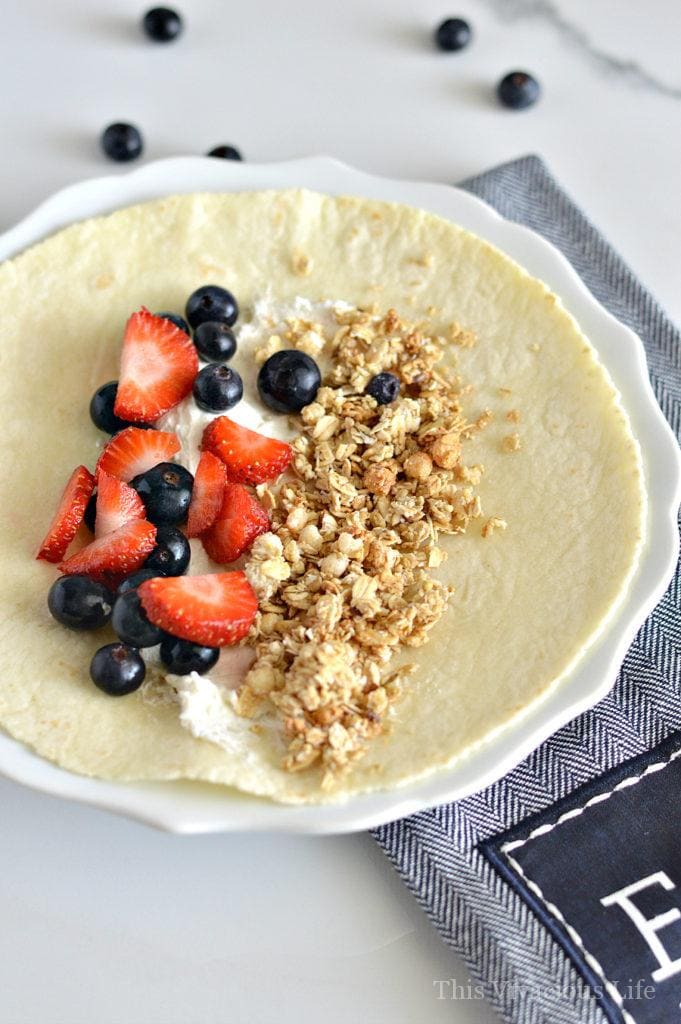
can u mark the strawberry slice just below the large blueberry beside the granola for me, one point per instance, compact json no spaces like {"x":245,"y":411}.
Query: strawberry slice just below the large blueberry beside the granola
{"x":248,"y":456}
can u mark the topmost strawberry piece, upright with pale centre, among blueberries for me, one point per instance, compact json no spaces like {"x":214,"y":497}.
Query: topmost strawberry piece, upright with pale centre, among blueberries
{"x":159,"y":364}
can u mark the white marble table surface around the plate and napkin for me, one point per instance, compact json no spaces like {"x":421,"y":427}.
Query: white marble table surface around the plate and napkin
{"x":109,"y":922}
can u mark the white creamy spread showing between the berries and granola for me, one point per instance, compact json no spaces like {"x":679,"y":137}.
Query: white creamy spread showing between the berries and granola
{"x":206,"y":703}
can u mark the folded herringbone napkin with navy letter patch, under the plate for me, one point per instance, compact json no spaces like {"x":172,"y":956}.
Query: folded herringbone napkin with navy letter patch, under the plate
{"x":562,"y":884}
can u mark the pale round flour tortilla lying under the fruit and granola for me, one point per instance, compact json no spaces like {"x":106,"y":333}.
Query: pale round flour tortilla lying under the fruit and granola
{"x":528,"y":603}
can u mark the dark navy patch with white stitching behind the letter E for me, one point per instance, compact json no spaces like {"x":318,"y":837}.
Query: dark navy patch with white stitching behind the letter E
{"x":611,"y":844}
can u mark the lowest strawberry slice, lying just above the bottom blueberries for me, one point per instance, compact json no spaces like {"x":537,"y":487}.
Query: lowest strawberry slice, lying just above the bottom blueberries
{"x":215,"y":611}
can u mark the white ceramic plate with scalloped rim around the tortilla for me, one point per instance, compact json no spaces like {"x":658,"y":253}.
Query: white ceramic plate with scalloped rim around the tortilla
{"x":190,"y":807}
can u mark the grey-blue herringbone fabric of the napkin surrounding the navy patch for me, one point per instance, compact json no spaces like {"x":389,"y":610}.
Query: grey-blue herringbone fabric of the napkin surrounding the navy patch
{"x":527,"y":975}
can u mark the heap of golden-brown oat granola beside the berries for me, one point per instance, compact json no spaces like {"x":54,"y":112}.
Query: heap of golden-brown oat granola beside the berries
{"x":344,"y":578}
